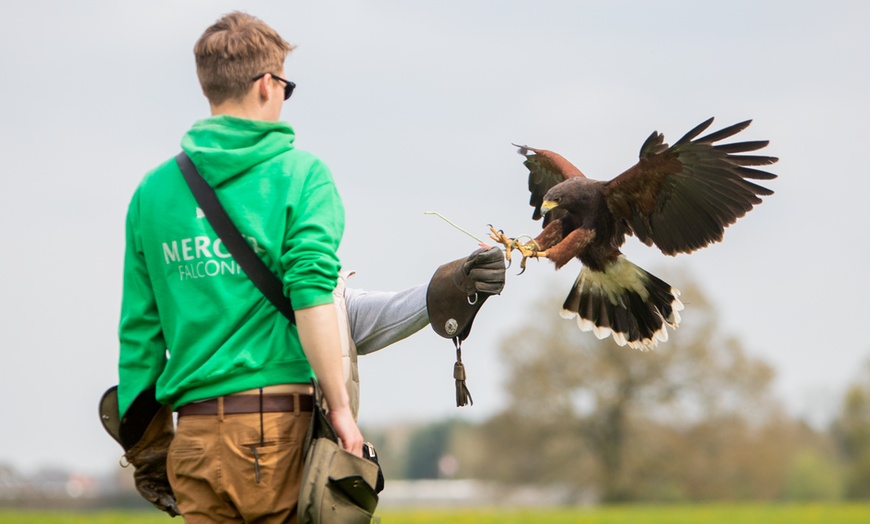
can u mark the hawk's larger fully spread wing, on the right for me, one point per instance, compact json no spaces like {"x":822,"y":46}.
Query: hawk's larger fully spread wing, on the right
{"x":681,"y":198}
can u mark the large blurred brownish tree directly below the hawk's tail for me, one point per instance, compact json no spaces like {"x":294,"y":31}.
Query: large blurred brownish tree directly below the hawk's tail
{"x":694,"y":419}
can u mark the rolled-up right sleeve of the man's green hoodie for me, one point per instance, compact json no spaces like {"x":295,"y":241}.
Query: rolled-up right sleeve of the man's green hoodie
{"x":315,"y":227}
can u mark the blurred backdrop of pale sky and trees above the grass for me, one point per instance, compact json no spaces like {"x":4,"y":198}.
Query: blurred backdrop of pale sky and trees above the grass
{"x":763,"y":392}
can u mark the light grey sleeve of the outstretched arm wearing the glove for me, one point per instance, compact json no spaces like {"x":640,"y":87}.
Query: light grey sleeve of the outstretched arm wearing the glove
{"x":379,"y":318}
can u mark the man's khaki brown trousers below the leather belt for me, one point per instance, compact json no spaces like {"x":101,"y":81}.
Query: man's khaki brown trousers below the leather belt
{"x":222,"y":471}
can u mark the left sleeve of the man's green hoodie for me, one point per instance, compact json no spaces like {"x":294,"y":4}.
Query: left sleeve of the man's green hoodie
{"x":143,"y":348}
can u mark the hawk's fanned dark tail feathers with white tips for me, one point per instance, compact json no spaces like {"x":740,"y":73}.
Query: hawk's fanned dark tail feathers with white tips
{"x":624,"y":301}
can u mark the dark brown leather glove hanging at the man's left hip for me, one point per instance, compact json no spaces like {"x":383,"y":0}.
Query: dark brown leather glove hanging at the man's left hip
{"x":145,"y":433}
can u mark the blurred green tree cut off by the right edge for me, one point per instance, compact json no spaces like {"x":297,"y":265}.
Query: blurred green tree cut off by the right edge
{"x":852,"y":432}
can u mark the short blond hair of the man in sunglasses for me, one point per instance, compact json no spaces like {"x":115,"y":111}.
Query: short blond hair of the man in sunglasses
{"x":234,"y":50}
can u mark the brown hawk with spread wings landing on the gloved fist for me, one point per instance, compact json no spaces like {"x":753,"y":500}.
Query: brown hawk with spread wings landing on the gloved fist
{"x":679,"y":198}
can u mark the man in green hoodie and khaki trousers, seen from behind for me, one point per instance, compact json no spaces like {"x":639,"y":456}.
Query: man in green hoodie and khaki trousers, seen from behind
{"x":192,"y":323}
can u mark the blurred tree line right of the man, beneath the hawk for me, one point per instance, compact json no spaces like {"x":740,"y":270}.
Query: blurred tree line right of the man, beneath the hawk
{"x":694,"y":420}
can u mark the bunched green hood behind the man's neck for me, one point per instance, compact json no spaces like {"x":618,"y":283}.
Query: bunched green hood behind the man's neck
{"x":224,"y":146}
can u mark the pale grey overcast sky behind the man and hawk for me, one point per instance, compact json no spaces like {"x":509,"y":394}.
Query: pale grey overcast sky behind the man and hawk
{"x":414,"y":106}
